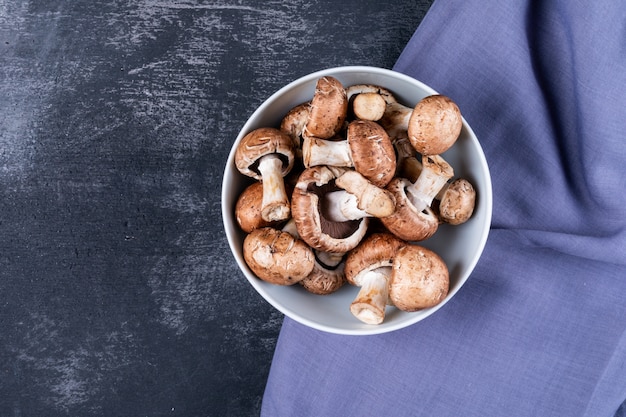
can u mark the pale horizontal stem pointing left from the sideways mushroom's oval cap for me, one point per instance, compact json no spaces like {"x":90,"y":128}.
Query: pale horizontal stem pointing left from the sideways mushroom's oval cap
{"x":317,"y":151}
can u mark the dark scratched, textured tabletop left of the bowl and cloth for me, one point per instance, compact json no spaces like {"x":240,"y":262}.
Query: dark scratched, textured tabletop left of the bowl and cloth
{"x":118,"y":294}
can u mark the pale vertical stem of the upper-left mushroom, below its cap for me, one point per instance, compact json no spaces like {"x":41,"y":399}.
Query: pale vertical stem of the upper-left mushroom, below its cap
{"x":275,"y":204}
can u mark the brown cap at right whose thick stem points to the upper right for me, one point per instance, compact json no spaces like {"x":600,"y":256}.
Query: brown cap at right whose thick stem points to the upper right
{"x":406,"y":222}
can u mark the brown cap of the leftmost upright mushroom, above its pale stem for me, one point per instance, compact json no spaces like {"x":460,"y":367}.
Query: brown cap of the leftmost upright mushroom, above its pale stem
{"x":261,"y":142}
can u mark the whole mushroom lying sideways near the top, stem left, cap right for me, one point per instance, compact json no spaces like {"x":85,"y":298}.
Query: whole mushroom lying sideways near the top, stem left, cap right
{"x":367,"y":148}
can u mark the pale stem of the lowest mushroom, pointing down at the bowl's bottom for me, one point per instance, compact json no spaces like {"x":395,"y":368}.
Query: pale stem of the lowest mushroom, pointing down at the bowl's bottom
{"x":369,"y":305}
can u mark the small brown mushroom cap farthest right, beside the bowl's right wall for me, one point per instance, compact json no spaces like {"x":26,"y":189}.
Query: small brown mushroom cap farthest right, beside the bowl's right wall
{"x":457,"y":202}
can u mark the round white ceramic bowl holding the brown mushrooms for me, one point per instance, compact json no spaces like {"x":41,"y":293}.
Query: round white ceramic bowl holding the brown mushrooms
{"x":459,"y":246}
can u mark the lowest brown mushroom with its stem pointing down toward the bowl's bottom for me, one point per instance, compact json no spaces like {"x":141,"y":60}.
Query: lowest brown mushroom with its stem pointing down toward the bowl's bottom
{"x":369,"y":267}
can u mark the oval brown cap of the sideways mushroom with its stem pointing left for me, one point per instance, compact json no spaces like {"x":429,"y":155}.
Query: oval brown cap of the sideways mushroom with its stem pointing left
{"x":372,"y":151}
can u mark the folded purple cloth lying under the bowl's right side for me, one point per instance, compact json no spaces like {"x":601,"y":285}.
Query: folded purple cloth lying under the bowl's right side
{"x":539,"y":329}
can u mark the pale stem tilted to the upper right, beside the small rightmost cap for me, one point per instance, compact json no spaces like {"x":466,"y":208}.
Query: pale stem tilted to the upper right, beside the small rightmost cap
{"x":435,"y":174}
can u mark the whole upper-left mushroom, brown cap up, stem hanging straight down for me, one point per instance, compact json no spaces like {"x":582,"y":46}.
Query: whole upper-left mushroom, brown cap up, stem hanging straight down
{"x":266,"y":154}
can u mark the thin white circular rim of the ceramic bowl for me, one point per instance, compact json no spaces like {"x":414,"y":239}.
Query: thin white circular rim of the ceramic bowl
{"x":486,"y":199}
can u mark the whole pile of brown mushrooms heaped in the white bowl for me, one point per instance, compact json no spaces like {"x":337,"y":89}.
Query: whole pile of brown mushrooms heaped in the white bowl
{"x":344,"y":190}
